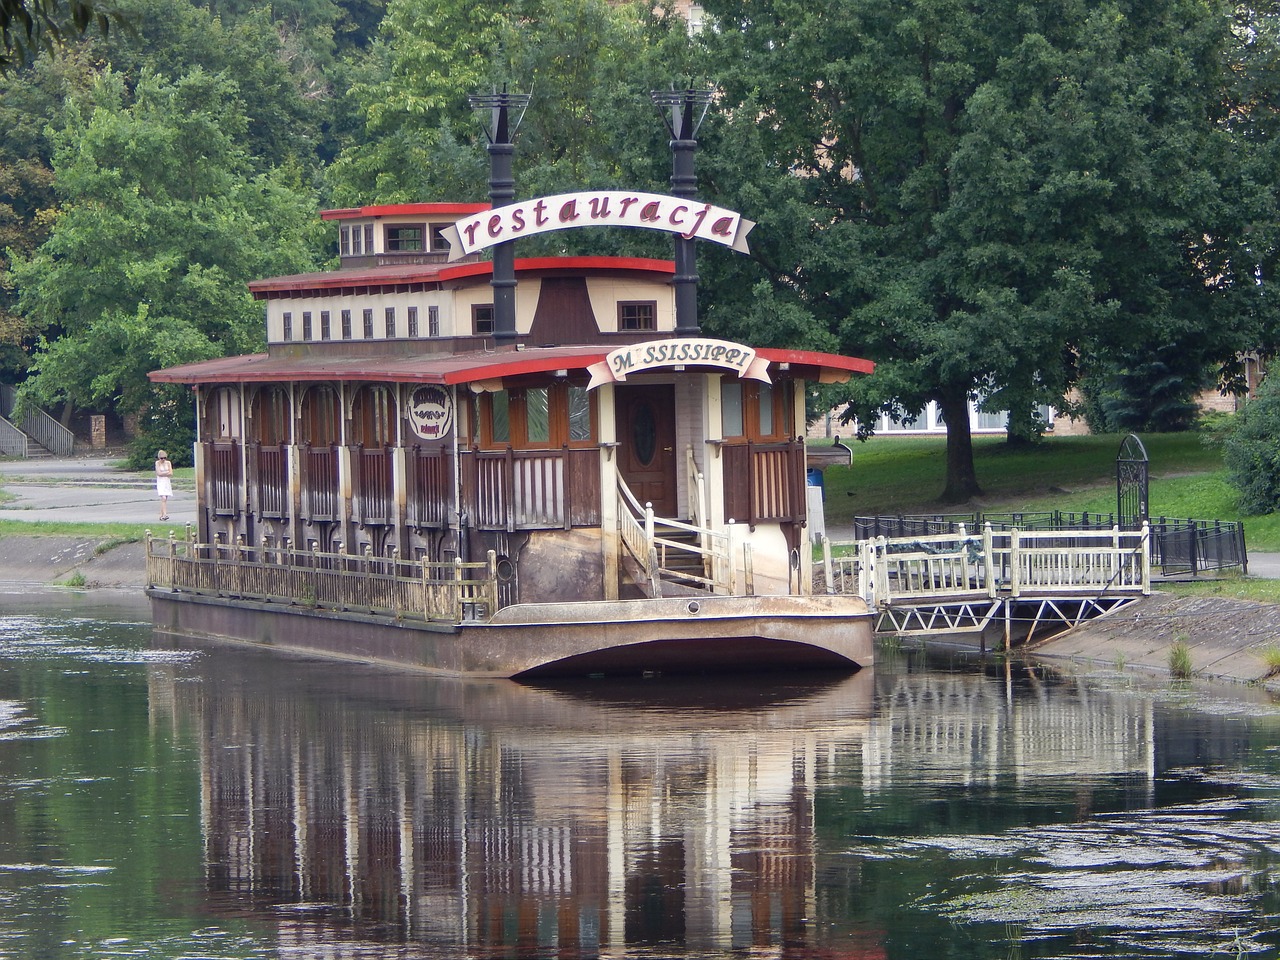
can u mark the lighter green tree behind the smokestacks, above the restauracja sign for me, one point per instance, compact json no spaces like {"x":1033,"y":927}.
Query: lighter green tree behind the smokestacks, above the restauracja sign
{"x":588,"y":66}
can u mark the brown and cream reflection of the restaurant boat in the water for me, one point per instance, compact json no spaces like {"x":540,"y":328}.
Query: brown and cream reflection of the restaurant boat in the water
{"x":477,"y":819}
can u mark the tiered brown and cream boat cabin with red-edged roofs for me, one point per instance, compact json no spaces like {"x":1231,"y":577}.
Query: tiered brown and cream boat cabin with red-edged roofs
{"x":387,"y":418}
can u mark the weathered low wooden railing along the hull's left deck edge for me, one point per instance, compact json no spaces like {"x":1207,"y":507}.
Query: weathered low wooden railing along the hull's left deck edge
{"x":450,"y":592}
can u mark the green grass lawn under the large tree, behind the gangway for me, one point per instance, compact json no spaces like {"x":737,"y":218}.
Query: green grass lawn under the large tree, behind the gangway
{"x":894,"y":476}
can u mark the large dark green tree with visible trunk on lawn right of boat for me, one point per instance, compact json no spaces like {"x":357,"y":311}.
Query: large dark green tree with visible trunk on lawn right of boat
{"x":991,"y":195}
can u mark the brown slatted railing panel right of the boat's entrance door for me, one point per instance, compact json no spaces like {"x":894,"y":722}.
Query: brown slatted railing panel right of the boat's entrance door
{"x":775,"y":488}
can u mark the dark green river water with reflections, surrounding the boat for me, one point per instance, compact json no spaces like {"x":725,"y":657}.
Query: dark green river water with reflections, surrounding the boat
{"x":161,"y":801}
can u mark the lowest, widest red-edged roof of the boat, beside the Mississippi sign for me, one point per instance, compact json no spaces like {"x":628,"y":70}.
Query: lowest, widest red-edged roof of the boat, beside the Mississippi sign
{"x":451,"y":368}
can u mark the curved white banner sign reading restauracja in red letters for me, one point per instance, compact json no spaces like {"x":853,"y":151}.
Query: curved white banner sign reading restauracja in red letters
{"x":653,"y":212}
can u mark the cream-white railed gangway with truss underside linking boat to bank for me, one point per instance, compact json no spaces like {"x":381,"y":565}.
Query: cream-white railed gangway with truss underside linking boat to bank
{"x":962,"y":583}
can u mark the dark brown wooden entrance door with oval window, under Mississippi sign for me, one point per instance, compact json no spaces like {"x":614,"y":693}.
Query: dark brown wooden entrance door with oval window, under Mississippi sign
{"x":647,"y":445}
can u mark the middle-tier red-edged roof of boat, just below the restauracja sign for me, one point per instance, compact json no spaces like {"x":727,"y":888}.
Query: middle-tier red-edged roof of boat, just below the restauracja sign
{"x":446,"y":273}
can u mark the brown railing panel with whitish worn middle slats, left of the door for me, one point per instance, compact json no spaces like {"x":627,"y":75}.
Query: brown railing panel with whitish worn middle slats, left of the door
{"x":534,"y":490}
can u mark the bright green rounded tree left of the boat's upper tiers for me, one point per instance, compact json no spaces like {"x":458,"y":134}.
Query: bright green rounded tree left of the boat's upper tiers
{"x":161,"y":226}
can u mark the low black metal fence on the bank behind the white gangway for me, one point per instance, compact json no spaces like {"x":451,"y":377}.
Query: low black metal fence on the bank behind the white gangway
{"x":1178,"y":547}
